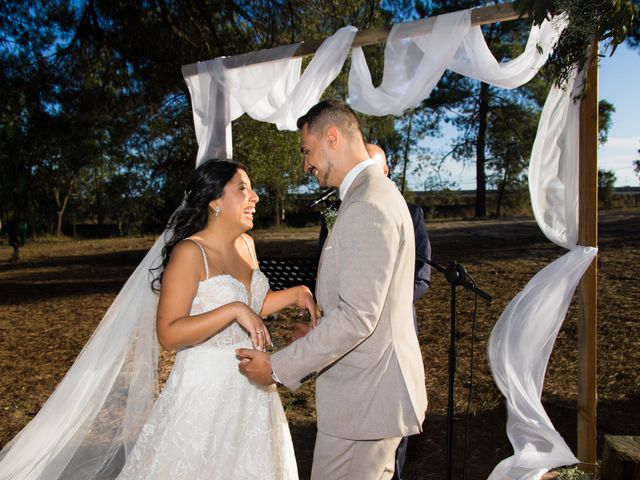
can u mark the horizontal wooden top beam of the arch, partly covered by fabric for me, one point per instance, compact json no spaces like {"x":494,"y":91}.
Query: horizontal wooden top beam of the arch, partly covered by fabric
{"x":372,"y":36}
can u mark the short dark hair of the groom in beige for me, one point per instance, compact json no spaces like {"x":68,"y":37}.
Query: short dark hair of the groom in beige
{"x":331,"y":112}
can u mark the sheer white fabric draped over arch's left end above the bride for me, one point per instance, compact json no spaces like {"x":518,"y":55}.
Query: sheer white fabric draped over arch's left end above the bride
{"x":271,"y":91}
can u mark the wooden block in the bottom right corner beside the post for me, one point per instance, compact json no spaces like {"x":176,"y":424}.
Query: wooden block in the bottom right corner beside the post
{"x":621,"y":458}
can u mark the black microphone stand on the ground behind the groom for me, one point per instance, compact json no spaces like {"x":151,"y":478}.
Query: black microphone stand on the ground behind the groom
{"x":456,"y":275}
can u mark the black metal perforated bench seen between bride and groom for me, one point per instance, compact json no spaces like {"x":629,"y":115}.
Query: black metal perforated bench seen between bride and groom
{"x":289,"y":272}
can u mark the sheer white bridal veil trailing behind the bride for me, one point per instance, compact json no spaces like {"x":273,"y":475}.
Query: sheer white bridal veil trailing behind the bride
{"x":91,"y":421}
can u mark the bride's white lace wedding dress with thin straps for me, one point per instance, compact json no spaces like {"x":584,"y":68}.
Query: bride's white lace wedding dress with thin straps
{"x":210,"y":422}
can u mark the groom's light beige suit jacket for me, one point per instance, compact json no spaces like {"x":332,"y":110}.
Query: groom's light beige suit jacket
{"x":370,"y":377}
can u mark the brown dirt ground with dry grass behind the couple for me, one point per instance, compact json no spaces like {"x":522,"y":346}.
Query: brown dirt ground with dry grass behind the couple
{"x":53,"y":299}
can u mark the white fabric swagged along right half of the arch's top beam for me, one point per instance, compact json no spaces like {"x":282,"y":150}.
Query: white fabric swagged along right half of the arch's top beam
{"x":418,"y":53}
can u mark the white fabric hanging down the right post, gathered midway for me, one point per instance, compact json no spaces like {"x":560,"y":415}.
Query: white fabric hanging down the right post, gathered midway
{"x":521,"y":341}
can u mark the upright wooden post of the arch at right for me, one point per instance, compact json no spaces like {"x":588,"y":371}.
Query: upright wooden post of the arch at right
{"x":588,"y":236}
